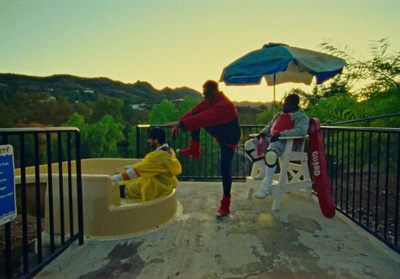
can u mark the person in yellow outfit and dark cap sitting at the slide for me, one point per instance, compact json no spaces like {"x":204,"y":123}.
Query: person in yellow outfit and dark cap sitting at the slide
{"x":156,"y":175}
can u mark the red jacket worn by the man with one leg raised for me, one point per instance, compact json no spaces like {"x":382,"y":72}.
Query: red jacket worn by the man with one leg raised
{"x":220,"y":111}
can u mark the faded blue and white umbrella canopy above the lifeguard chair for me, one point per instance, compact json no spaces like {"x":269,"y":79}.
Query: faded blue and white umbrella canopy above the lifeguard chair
{"x":280,"y":63}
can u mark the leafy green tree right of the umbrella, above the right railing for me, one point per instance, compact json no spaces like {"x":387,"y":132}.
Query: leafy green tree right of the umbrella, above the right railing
{"x":379,"y":94}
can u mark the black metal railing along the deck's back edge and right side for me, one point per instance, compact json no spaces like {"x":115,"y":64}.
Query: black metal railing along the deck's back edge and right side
{"x":363,"y":166}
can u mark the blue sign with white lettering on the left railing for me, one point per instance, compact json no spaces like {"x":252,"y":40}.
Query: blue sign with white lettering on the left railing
{"x":8,"y":210}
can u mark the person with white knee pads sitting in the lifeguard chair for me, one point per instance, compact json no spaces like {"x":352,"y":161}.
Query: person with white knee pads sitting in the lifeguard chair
{"x":265,"y":149}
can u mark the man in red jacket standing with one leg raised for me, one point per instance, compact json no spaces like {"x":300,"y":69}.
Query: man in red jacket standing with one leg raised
{"x":218,"y":116}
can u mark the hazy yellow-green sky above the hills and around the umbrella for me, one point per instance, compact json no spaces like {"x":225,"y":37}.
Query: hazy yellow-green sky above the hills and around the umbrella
{"x":175,"y":43}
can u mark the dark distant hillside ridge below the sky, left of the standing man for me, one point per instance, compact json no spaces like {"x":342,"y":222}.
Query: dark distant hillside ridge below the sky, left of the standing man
{"x":84,"y":88}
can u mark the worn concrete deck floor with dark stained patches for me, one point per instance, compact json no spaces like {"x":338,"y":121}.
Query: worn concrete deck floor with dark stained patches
{"x":252,"y":242}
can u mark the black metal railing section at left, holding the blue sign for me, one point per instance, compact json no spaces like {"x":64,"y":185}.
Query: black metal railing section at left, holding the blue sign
{"x":39,"y":154}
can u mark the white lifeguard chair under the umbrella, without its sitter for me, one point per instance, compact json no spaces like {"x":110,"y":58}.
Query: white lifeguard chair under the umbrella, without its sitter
{"x":294,"y":173}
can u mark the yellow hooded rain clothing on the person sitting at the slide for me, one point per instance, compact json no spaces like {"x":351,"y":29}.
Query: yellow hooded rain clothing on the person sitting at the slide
{"x":156,"y":176}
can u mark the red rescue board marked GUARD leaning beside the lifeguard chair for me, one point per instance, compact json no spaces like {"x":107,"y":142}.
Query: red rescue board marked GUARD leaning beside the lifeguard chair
{"x":320,"y":173}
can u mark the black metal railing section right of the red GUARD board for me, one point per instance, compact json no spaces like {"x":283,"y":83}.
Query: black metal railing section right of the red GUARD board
{"x":364,"y":170}
